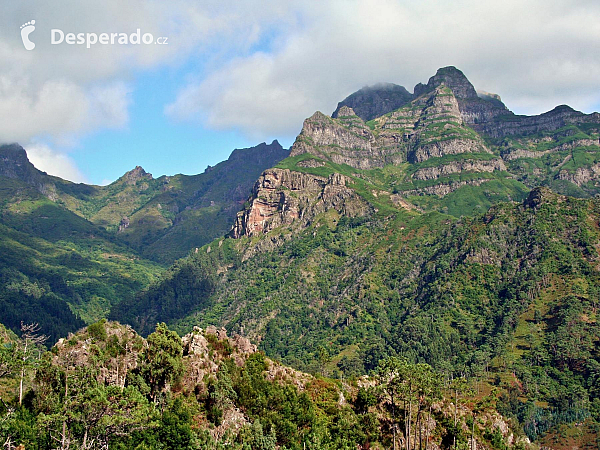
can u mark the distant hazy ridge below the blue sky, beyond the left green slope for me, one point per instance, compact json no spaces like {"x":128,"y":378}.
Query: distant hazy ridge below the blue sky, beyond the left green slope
{"x":164,"y":218}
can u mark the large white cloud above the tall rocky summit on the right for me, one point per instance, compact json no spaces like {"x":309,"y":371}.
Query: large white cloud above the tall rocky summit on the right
{"x":536,"y":54}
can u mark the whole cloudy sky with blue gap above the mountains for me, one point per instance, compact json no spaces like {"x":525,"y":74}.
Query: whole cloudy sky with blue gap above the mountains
{"x":235,"y":73}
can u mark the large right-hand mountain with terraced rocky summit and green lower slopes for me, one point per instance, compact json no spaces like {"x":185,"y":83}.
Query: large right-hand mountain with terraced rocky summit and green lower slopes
{"x":422,"y":232}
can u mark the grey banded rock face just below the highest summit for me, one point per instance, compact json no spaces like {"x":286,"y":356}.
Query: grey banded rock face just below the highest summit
{"x":432,"y":126}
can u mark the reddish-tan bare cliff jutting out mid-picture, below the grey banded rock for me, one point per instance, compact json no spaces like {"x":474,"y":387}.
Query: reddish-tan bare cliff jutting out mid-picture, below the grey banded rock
{"x":281,"y":197}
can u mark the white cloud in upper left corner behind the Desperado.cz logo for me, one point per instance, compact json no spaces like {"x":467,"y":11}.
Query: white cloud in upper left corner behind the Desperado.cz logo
{"x":64,"y":91}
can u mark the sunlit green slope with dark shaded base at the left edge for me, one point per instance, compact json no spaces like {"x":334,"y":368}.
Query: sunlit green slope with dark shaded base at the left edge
{"x":56,"y":267}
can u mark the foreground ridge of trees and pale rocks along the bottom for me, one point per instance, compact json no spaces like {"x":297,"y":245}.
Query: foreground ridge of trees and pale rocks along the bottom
{"x":107,"y":387}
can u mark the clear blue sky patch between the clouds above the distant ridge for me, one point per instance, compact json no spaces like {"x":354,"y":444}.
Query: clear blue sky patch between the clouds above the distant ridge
{"x":157,"y":143}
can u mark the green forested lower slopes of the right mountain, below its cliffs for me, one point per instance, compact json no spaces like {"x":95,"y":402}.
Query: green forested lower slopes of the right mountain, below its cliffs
{"x":456,"y":295}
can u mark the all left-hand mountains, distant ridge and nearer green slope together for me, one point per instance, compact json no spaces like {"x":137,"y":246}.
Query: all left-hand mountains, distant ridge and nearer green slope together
{"x":72,"y":251}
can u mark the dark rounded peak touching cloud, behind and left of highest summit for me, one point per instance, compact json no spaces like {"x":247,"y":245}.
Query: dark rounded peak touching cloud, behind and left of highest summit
{"x":375,"y":101}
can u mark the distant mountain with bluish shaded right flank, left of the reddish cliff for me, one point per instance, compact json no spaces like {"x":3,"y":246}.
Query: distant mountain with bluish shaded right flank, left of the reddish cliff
{"x":165,"y":218}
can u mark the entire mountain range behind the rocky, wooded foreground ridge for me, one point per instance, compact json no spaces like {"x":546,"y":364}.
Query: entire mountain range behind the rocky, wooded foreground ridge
{"x":435,"y":225}
